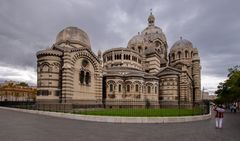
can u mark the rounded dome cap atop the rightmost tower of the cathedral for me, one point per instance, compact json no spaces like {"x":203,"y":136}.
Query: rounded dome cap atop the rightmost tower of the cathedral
{"x":182,"y":44}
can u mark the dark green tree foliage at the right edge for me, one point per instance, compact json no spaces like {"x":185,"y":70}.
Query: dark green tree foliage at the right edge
{"x":229,"y":91}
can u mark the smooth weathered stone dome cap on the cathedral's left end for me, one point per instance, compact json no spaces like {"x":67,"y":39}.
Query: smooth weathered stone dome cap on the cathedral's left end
{"x":73,"y":35}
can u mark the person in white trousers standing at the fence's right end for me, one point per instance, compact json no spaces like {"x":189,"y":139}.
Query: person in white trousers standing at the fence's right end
{"x":219,"y":115}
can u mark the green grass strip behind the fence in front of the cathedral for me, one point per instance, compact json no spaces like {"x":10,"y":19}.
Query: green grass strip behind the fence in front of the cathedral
{"x":142,"y":112}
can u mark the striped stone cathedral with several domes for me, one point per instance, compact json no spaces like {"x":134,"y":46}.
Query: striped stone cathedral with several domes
{"x":70,"y":72}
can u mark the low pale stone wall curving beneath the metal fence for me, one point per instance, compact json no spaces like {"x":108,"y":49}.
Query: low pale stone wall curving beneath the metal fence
{"x":116,"y":119}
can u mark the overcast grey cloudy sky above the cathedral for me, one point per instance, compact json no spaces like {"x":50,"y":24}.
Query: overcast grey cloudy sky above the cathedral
{"x":27,"y":26}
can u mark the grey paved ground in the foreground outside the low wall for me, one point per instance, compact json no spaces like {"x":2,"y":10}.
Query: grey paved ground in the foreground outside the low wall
{"x":18,"y":126}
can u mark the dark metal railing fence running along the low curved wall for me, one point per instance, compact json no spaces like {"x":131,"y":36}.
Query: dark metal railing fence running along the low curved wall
{"x":120,"y":107}
